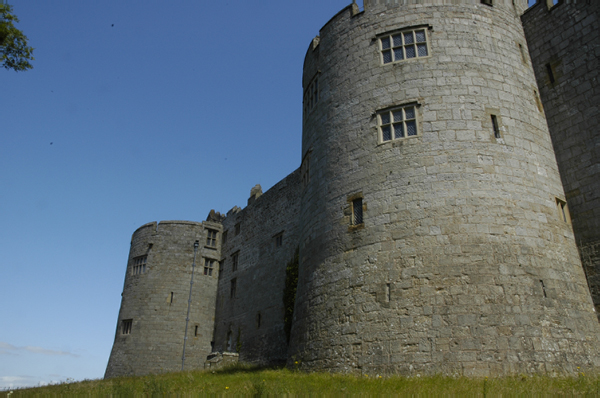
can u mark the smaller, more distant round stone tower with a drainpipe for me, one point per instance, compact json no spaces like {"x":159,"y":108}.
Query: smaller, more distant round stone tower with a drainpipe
{"x":152,"y":318}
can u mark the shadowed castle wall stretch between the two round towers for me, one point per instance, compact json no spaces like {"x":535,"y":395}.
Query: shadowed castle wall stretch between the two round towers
{"x":250,"y":319}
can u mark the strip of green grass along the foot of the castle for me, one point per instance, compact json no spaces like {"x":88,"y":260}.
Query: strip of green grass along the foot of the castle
{"x":248,"y":381}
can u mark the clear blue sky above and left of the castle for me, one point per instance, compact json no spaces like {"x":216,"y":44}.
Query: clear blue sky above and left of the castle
{"x":135,"y":111}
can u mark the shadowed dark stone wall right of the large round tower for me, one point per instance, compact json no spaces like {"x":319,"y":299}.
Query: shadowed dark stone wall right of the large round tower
{"x":567,"y":69}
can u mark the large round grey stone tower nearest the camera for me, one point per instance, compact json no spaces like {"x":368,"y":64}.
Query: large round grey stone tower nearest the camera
{"x":431,"y":237}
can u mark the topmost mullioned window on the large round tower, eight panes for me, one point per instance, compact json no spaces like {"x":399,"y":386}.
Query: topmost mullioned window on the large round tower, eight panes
{"x":403,"y":45}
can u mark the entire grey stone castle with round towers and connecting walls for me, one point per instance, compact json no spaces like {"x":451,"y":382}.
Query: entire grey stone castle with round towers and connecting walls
{"x":445,"y":215}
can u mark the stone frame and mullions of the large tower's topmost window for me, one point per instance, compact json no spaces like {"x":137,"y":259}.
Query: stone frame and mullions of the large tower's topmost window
{"x":394,"y":46}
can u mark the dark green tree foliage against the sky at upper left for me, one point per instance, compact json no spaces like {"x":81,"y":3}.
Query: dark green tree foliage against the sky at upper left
{"x":14,"y":51}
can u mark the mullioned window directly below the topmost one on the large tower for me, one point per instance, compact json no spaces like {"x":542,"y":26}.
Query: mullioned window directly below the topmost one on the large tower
{"x":397,"y":123}
